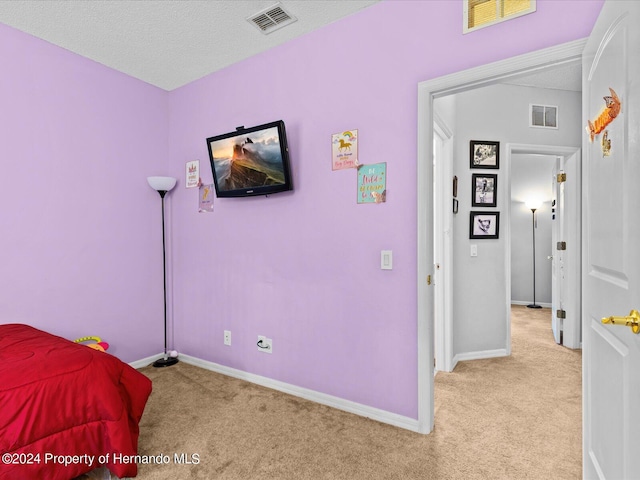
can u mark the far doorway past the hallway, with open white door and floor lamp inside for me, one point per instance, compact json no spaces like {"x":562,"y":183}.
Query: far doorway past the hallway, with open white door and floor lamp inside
{"x":561,"y":179}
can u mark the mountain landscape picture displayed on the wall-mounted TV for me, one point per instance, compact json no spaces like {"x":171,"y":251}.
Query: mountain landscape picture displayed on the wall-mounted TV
{"x":248,"y":160}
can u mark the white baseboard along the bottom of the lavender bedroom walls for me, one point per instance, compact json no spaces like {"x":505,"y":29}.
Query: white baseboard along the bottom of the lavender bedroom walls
{"x":322,"y":398}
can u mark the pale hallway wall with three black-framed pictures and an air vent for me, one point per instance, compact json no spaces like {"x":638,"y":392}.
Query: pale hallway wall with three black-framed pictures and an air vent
{"x":497,"y":113}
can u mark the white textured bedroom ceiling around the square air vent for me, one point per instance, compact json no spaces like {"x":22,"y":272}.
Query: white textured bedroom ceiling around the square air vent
{"x":167,"y":43}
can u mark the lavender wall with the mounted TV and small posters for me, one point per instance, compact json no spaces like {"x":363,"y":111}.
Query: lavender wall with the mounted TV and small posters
{"x":303,"y":268}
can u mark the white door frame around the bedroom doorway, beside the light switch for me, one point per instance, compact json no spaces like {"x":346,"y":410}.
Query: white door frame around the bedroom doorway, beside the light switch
{"x":564,"y":54}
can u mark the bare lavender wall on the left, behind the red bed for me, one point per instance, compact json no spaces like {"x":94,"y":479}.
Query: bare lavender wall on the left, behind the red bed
{"x":79,"y":226}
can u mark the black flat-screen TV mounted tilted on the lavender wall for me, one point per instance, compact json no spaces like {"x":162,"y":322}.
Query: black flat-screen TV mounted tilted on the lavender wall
{"x":251,"y":161}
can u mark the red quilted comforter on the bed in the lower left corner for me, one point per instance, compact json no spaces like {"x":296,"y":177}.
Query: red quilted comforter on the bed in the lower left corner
{"x":65,"y":408}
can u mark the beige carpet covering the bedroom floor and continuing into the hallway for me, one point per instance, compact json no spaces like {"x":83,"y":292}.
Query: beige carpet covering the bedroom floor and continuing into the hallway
{"x":508,"y":418}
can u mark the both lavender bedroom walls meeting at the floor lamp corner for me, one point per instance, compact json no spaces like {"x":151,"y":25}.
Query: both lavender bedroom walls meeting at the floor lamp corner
{"x":80,"y":229}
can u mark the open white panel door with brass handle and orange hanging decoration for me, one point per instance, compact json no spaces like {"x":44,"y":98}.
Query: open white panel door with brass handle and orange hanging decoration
{"x":611,"y":234}
